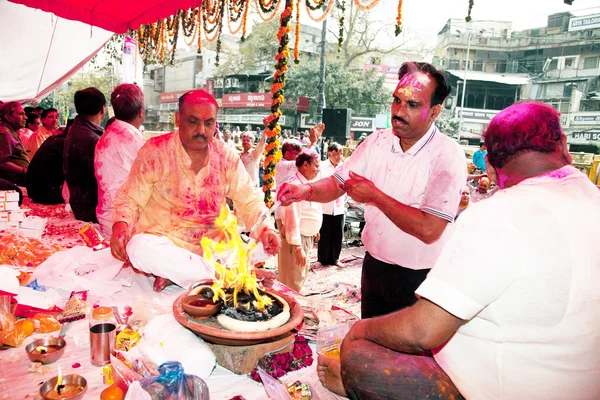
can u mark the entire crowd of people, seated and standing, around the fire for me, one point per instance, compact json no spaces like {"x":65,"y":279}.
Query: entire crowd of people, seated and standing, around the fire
{"x":441,"y":317}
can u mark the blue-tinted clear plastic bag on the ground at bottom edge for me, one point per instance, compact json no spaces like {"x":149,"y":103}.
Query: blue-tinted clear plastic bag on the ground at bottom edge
{"x":173,"y":384}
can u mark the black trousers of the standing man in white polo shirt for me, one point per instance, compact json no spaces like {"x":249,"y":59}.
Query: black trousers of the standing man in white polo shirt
{"x":386,"y":288}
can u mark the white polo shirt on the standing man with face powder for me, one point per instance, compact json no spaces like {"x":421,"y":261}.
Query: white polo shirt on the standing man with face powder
{"x":429,"y":176}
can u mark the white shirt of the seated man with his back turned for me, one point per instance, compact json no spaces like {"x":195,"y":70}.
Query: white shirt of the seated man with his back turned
{"x":533,"y":306}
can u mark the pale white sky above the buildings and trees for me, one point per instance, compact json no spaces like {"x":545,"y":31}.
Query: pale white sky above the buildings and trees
{"x":425,"y":18}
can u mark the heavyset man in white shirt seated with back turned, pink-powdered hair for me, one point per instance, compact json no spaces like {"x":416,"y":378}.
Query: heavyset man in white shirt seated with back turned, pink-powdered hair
{"x":521,"y":324}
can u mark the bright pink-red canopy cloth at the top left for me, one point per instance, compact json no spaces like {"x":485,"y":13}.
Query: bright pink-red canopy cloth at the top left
{"x":113,"y":15}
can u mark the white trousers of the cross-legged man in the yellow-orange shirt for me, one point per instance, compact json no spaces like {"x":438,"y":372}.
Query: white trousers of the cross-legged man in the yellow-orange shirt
{"x":158,"y":256}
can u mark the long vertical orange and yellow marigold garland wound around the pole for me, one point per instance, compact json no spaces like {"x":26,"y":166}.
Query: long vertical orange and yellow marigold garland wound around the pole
{"x":273,"y":130}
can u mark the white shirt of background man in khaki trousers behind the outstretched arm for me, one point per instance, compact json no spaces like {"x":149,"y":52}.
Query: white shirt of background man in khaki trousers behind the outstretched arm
{"x":303,"y":218}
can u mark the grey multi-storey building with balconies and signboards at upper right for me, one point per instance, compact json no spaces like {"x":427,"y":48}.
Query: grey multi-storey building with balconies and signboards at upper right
{"x":558,"y":64}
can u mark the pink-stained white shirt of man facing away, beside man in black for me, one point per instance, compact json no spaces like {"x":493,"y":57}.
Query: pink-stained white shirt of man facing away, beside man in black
{"x":114,"y":155}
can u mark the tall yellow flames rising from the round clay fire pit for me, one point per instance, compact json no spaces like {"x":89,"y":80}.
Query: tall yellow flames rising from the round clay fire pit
{"x":240,"y":276}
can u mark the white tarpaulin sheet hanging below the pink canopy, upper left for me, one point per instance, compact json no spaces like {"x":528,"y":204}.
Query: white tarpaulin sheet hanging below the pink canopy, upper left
{"x":39,"y":51}
